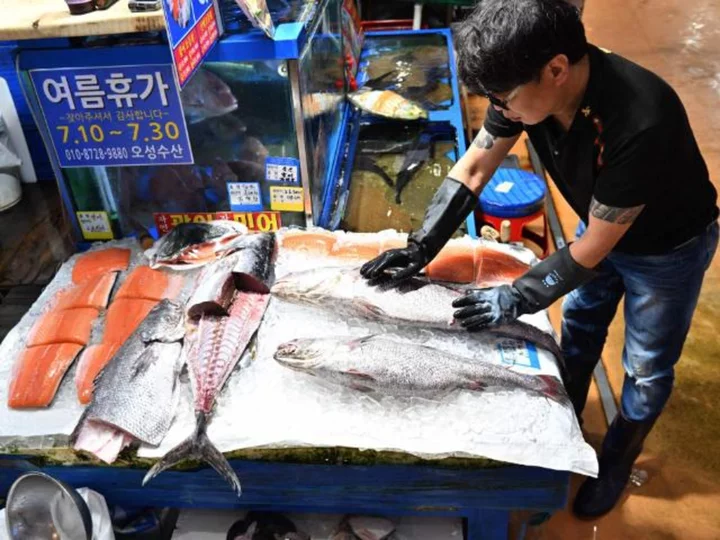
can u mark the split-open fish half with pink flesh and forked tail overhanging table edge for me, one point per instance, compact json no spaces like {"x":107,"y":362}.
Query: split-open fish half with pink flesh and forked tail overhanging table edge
{"x":212,"y":355}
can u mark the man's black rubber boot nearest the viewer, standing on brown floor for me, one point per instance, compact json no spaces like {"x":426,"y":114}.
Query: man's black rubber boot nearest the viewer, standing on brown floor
{"x":621,"y":447}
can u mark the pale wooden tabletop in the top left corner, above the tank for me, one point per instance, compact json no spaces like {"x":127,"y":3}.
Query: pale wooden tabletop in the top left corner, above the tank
{"x":38,"y":19}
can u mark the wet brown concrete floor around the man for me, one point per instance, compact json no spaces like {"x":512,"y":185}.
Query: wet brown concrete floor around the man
{"x":679,"y":40}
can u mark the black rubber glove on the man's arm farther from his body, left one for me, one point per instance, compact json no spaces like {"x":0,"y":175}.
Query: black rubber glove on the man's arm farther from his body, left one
{"x":451,"y":204}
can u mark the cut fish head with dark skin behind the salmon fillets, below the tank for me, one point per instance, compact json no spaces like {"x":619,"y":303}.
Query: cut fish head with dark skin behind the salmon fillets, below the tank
{"x":188,"y":243}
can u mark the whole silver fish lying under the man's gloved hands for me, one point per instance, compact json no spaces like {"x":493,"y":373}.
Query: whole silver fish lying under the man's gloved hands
{"x":416,"y":302}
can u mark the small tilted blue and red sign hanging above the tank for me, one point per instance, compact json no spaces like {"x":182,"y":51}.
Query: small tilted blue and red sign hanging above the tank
{"x":192,"y":28}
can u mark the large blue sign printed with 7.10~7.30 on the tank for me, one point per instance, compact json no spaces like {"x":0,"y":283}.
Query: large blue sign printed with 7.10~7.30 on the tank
{"x":114,"y":116}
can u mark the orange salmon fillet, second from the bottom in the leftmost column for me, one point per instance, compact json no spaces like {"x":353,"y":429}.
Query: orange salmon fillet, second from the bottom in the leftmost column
{"x":68,"y":326}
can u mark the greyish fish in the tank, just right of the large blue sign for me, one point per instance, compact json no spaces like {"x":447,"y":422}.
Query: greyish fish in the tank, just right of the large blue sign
{"x":206,"y":96}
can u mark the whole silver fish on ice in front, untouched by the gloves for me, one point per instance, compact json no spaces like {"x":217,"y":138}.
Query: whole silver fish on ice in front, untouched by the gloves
{"x":384,"y":366}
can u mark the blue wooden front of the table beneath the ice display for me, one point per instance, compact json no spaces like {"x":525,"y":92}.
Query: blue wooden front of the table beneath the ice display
{"x":331,"y":481}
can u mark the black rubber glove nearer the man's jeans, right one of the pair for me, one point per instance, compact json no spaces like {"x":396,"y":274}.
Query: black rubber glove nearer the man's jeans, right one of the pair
{"x":537,"y":289}
